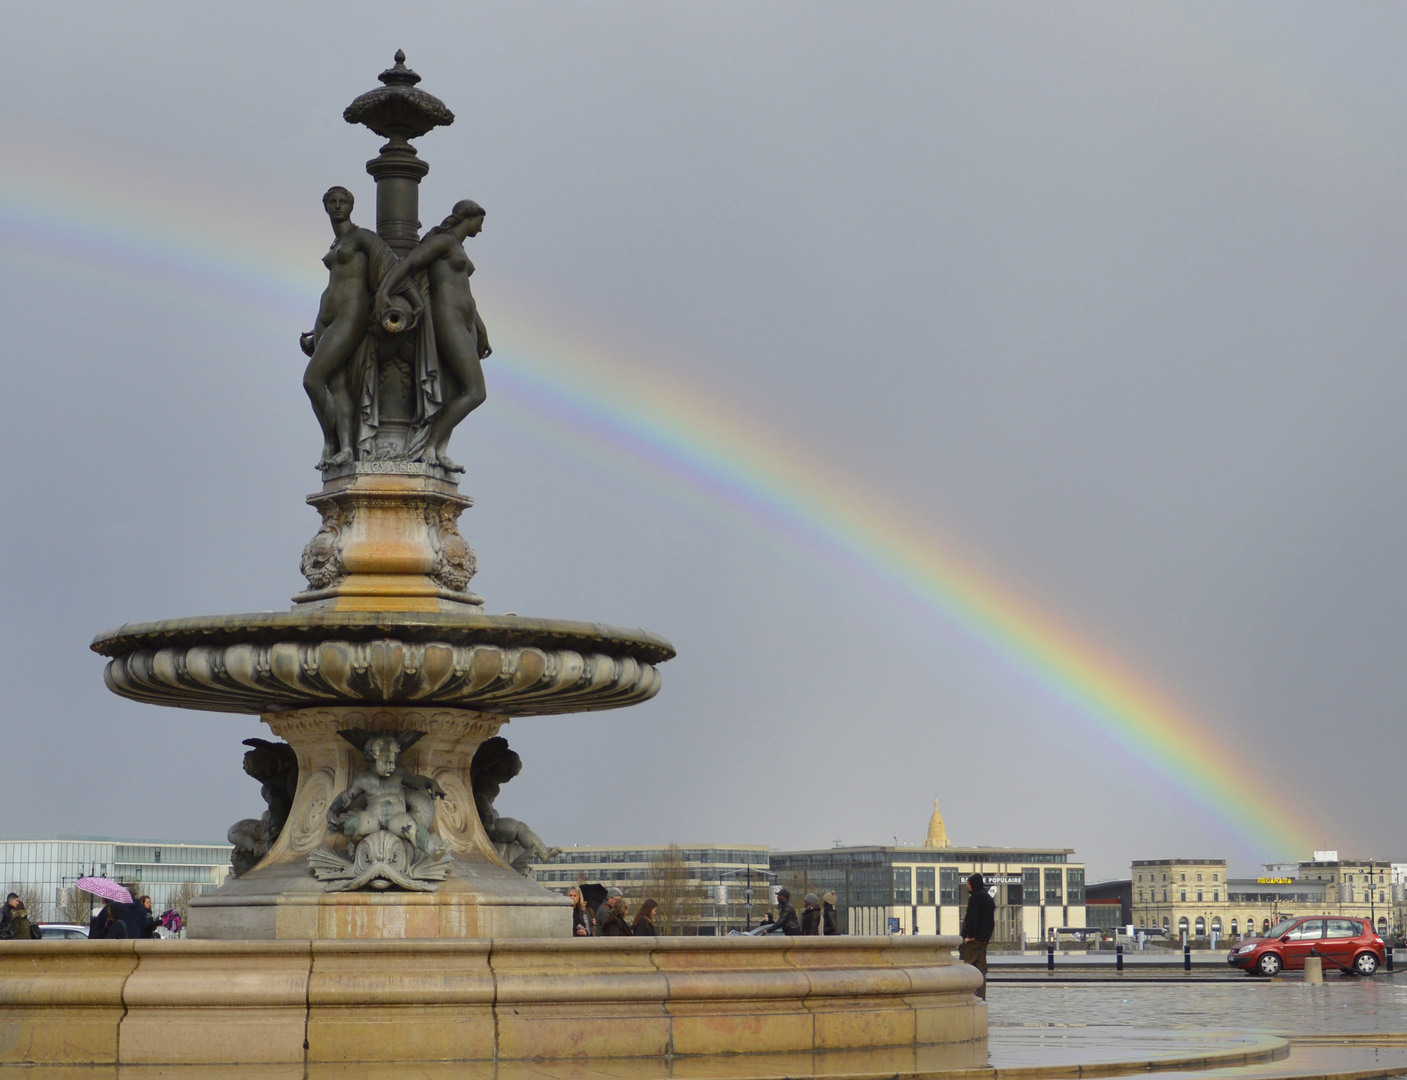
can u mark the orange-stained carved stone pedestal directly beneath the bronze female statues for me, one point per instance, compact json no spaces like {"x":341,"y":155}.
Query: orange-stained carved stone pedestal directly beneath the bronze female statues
{"x":389,"y":544}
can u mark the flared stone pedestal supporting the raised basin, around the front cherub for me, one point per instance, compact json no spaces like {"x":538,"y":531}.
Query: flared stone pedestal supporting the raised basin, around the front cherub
{"x":479,"y":898}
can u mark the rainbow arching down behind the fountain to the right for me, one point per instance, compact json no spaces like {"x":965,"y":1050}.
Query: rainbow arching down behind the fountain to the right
{"x":676,"y":438}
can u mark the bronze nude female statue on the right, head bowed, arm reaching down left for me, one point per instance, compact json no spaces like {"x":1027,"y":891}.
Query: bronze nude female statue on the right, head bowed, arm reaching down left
{"x":461,"y":337}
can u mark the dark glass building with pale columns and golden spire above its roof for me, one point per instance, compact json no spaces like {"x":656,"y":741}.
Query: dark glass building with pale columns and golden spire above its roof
{"x":924,"y":891}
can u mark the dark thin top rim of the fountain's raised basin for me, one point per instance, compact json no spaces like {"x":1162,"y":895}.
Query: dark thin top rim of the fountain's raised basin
{"x":271,"y":628}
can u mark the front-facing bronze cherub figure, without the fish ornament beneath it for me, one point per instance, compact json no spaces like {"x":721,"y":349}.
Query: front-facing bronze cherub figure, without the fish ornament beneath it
{"x":396,"y":799}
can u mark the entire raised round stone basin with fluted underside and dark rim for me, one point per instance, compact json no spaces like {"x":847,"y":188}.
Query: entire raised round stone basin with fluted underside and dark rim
{"x":275,"y":662}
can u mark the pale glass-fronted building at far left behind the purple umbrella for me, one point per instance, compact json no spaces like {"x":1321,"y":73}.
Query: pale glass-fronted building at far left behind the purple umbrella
{"x":47,"y":868}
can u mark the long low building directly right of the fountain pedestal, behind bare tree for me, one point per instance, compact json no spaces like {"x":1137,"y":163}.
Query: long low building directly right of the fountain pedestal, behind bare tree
{"x":706,"y":889}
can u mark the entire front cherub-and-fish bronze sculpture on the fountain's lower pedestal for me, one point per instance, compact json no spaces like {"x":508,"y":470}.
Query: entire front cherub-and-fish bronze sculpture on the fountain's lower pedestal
{"x":388,"y":815}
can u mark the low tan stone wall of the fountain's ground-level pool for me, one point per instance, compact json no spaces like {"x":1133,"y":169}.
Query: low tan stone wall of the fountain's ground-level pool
{"x":417,"y":1002}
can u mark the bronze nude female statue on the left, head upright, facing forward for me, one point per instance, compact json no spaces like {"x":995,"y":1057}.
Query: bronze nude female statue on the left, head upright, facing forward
{"x":358,"y":261}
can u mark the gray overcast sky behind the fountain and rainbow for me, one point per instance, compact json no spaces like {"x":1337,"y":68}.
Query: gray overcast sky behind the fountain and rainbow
{"x":1105,"y":297}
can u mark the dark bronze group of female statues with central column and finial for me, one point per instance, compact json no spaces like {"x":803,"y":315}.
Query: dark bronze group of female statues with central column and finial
{"x":395,"y":356}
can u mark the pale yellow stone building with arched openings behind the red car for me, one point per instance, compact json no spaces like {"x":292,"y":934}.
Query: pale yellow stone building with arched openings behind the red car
{"x":1197,"y":898}
